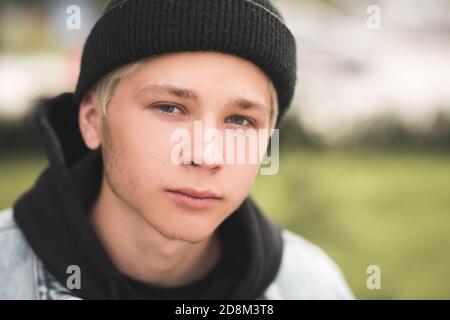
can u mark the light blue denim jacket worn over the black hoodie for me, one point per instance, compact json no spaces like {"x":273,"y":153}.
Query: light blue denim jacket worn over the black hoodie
{"x":306,"y":271}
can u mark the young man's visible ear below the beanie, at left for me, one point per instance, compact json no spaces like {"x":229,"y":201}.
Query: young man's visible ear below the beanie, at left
{"x":90,"y":121}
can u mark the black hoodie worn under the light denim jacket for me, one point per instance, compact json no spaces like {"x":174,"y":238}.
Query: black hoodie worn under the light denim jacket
{"x":54,"y":217}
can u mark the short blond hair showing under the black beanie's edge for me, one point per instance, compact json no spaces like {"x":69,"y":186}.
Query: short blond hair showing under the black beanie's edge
{"x":106,"y":87}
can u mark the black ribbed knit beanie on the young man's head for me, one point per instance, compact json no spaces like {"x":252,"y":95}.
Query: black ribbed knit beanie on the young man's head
{"x":131,"y":30}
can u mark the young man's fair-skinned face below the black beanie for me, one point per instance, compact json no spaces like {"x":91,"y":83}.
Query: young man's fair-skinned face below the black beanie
{"x":169,"y":93}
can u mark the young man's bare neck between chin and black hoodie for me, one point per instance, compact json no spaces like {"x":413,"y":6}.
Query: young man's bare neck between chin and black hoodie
{"x":139,"y":251}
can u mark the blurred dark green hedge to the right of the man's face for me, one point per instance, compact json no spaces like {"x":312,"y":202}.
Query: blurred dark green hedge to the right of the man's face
{"x":385,"y":131}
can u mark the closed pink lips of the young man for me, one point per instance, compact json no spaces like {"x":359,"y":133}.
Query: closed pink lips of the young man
{"x":194,"y":199}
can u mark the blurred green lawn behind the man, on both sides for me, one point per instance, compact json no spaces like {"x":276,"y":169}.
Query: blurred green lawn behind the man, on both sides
{"x":363,"y":208}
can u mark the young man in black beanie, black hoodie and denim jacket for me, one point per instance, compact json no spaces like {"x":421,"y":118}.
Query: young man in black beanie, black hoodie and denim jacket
{"x":114,"y":216}
